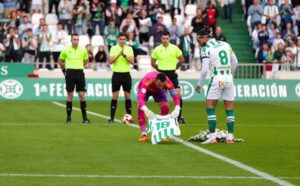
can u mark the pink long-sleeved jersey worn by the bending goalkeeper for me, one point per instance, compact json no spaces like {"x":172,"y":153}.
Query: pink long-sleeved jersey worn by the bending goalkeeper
{"x":147,"y":86}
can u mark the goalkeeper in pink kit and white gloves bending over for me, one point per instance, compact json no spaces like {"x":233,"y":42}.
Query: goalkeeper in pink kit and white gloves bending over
{"x":155,"y":84}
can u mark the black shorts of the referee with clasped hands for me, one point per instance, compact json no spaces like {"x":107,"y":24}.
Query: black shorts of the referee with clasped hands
{"x":121,"y":79}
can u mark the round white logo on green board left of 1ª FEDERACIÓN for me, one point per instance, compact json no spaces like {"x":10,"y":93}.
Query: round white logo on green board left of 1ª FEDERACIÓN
{"x":11,"y":89}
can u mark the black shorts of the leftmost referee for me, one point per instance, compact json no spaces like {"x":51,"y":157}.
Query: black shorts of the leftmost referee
{"x":75,"y":77}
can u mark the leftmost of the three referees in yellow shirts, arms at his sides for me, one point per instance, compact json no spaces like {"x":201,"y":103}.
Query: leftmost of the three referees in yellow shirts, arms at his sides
{"x":72,"y":60}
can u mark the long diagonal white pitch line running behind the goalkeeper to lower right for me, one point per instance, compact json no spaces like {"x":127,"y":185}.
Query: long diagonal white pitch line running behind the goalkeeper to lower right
{"x":210,"y":153}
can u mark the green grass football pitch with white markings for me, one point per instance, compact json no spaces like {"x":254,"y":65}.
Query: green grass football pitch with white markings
{"x":38,"y":148}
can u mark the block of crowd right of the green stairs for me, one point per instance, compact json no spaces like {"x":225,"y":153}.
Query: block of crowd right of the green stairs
{"x":274,"y":27}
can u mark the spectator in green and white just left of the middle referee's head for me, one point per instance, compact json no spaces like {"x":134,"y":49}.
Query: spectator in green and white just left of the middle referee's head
{"x":111,"y":32}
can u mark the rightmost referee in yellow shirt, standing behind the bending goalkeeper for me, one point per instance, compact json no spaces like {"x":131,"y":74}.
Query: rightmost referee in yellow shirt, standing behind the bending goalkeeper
{"x":164,"y":59}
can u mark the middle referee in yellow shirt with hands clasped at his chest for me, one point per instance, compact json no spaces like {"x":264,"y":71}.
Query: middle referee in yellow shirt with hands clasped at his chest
{"x":120,"y":56}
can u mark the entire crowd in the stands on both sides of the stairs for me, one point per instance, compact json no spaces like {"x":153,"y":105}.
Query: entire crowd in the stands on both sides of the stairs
{"x":36,"y":31}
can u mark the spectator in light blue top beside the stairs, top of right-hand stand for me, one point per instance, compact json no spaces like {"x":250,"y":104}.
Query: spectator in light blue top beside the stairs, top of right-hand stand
{"x":256,"y":12}
